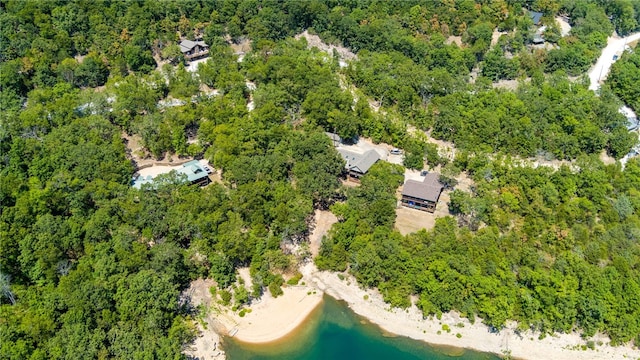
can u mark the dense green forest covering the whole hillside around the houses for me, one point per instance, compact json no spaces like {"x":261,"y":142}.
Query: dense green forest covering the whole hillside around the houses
{"x":93,"y":268}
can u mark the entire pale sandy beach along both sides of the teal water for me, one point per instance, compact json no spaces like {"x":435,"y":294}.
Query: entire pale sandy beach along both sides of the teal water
{"x":273,"y":318}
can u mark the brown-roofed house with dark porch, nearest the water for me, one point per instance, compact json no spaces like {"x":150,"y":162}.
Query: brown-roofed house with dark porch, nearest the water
{"x":422,"y":195}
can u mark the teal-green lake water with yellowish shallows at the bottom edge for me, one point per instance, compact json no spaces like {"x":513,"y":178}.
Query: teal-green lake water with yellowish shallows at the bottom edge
{"x":335,"y":332}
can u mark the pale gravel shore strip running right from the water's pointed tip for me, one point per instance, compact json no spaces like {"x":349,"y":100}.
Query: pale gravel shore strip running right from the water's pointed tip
{"x":410,"y":323}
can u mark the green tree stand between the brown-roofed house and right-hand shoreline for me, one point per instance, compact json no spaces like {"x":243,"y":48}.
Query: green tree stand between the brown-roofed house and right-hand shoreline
{"x":552,"y":265}
